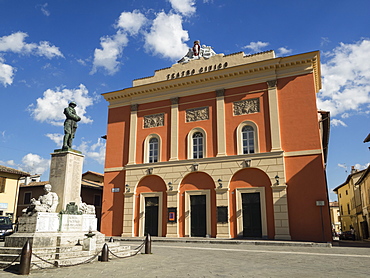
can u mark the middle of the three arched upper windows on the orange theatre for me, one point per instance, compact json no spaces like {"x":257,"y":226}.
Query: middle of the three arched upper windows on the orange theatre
{"x":197,"y":143}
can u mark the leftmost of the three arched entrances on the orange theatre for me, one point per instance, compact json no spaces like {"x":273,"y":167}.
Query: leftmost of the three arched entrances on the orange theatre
{"x":150,"y":207}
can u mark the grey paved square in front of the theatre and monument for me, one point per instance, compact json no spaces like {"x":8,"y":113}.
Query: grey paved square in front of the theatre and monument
{"x":205,"y":259}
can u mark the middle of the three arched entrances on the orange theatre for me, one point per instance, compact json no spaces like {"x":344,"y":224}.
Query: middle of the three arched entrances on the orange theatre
{"x":197,"y":206}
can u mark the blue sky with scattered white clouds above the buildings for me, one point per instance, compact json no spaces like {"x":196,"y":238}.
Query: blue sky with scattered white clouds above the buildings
{"x":53,"y":52}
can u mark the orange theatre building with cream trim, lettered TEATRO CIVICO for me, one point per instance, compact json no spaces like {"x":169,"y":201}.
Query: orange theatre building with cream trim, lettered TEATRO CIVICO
{"x":230,"y":146}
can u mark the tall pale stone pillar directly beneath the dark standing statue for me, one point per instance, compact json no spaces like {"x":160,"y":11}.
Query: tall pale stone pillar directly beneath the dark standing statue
{"x":65,"y":176}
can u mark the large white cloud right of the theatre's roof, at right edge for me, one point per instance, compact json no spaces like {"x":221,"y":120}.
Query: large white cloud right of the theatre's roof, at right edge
{"x":346,"y":79}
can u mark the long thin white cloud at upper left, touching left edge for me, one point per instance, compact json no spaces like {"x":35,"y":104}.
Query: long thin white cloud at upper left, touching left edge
{"x":15,"y":43}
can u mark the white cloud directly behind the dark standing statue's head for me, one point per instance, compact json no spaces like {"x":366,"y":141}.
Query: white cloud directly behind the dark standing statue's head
{"x":50,"y":107}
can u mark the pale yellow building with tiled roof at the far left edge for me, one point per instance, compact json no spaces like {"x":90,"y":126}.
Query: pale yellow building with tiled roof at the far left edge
{"x":9,"y":188}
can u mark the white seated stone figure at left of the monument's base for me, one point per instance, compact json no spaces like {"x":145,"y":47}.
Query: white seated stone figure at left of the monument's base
{"x":45,"y":203}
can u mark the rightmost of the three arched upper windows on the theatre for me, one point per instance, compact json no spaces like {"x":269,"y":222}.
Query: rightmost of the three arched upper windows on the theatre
{"x":247,"y":138}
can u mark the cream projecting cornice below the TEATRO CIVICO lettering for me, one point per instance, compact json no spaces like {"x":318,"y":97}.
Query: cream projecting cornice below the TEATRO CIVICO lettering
{"x":241,"y":75}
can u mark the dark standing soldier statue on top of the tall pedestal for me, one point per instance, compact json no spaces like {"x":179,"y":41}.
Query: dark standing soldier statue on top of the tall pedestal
{"x":70,"y":125}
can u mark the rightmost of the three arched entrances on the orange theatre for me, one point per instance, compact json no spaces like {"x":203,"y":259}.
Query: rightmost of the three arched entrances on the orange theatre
{"x":251,"y":204}
